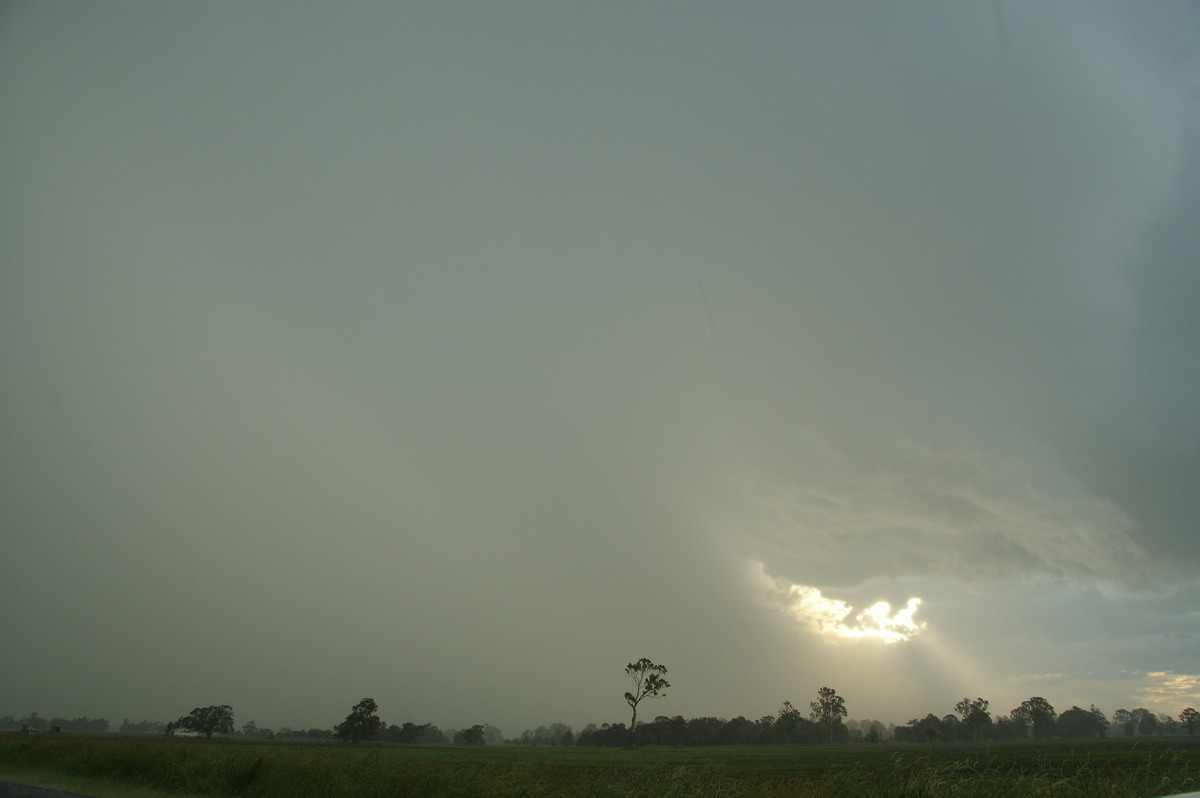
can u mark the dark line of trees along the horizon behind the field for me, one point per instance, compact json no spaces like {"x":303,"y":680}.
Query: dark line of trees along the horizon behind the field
{"x":826,"y":723}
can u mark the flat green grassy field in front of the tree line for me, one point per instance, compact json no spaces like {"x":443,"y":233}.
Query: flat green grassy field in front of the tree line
{"x":1096,"y":770}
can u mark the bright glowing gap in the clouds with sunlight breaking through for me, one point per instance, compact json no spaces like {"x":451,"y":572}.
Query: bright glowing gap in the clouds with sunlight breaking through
{"x":837,"y":619}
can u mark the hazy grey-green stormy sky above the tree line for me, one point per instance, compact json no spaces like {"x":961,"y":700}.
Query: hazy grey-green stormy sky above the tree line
{"x":458,"y":355}
